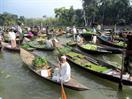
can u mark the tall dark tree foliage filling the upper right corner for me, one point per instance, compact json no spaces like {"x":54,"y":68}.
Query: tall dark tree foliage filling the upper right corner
{"x":107,"y":11}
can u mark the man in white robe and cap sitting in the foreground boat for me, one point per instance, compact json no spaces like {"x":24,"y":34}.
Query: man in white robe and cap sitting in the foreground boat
{"x":64,"y":72}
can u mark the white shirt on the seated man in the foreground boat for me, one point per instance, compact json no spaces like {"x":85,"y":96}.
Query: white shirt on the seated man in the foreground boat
{"x":65,"y":72}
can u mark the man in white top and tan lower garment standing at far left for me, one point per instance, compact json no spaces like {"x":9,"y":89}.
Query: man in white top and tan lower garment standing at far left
{"x":12,"y":37}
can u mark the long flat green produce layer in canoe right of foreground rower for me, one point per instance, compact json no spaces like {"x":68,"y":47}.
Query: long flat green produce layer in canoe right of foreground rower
{"x":80,"y":59}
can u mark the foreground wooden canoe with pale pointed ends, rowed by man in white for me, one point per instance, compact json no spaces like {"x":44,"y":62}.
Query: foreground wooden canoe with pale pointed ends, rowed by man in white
{"x":27,"y":58}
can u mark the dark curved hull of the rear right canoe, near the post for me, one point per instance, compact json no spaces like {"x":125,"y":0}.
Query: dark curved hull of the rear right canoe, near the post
{"x":109,"y":43}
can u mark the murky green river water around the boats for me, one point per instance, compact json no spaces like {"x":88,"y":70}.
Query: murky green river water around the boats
{"x":18,"y":82}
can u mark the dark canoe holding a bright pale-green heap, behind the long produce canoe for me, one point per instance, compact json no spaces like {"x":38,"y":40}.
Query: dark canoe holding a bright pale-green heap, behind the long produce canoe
{"x":93,"y":49}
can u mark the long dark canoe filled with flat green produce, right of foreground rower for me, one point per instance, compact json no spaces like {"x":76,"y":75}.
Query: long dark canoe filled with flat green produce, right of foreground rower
{"x":97,"y":67}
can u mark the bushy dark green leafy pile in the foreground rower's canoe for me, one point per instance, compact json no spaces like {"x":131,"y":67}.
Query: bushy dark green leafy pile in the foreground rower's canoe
{"x":40,"y":62}
